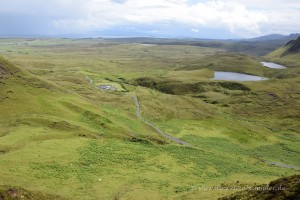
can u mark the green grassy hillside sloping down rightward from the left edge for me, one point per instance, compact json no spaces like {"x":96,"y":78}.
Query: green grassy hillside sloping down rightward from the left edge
{"x":33,"y":102}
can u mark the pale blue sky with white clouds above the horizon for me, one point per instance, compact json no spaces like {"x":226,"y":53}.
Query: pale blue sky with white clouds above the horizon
{"x":215,"y":19}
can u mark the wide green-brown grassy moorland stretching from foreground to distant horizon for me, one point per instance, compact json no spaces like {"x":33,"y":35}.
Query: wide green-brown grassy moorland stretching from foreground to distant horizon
{"x":61,"y":136}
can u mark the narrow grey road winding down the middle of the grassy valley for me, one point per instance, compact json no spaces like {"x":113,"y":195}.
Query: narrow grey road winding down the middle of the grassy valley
{"x":138,"y":114}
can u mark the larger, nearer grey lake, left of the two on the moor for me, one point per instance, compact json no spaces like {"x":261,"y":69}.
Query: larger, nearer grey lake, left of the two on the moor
{"x":232,"y":76}
